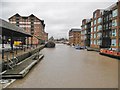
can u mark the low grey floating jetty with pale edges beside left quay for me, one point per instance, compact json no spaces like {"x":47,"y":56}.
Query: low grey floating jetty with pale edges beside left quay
{"x":20,"y":70}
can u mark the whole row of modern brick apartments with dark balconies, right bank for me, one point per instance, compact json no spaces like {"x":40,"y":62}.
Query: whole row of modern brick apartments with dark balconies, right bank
{"x":105,"y":28}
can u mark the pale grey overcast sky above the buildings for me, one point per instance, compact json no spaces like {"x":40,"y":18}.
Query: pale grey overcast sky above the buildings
{"x":59,"y":15}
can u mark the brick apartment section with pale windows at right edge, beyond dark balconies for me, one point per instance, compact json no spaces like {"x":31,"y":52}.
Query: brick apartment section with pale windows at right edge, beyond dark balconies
{"x":115,"y":37}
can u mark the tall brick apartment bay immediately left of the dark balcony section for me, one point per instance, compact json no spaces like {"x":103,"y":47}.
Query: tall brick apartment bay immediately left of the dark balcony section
{"x":96,"y":29}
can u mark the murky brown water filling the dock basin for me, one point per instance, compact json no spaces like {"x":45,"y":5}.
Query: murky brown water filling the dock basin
{"x":66,"y":67}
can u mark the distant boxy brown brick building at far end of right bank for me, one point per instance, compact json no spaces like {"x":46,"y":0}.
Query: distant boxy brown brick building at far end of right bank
{"x":75,"y":36}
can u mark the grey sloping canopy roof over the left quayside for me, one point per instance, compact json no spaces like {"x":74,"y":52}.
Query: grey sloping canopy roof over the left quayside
{"x":9,"y":29}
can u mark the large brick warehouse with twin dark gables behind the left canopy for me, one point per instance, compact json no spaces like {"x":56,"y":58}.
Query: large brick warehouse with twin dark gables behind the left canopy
{"x":31,"y":24}
